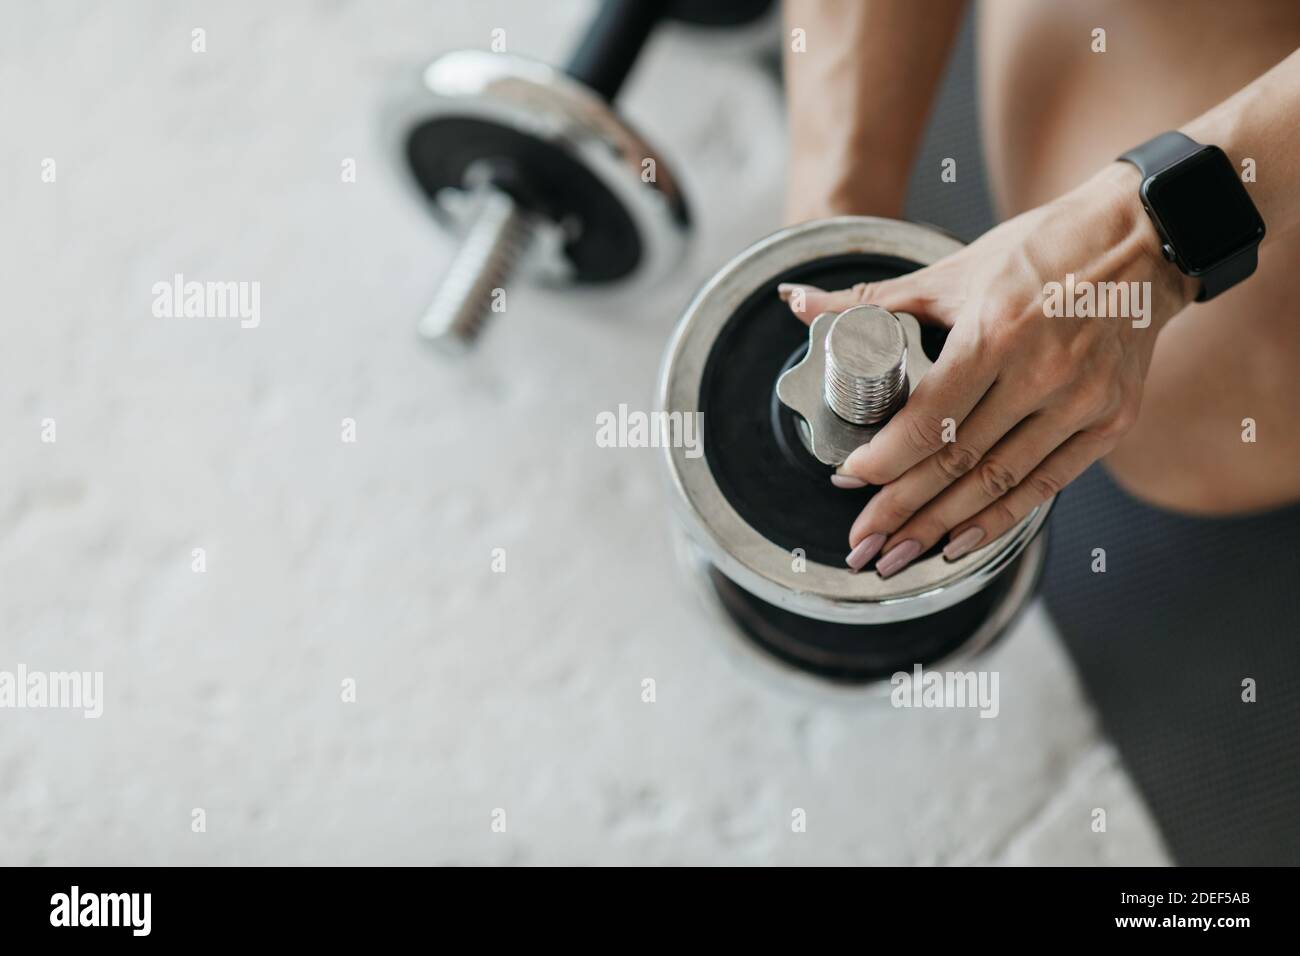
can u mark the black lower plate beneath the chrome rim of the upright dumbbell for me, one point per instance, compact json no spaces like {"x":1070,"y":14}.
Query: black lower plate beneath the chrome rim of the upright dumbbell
{"x":860,"y":654}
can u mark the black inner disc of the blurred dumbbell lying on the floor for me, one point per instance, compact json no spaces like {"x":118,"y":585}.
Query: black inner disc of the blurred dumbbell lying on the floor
{"x":541,"y":178}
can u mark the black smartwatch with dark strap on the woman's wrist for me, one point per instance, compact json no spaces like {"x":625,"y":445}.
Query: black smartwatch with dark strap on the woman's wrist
{"x":1207,"y":223}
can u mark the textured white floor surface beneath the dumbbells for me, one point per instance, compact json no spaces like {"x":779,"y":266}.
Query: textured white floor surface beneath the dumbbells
{"x":372,"y":561}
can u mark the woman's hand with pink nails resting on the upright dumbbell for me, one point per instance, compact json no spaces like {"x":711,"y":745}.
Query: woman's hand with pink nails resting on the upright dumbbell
{"x":1024,"y":399}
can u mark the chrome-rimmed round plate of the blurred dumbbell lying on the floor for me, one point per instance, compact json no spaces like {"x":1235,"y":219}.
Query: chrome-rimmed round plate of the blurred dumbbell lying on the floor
{"x":558,"y":149}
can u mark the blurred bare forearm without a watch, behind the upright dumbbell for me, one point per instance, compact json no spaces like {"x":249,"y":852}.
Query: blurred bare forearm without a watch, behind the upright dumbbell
{"x":859,"y":96}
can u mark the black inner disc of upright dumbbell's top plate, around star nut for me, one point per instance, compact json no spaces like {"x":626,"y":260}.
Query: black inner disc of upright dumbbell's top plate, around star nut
{"x":751,"y":440}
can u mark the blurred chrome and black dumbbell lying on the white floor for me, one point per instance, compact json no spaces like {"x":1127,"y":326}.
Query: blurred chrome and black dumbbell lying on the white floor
{"x":519,"y":159}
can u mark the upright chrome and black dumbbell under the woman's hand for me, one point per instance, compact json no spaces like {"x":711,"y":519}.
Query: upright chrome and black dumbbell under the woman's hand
{"x":782,"y":404}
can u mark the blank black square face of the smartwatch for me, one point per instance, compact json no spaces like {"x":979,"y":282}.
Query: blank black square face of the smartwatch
{"x":1204,"y":210}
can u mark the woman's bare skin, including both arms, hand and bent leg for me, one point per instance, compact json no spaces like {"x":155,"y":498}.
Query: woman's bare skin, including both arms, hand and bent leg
{"x":1037,"y":400}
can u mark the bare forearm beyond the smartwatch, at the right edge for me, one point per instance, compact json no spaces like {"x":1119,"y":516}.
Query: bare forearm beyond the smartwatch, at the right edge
{"x":1263,"y":123}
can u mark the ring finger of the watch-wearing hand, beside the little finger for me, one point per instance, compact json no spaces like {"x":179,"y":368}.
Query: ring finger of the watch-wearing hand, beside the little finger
{"x":999,"y":473}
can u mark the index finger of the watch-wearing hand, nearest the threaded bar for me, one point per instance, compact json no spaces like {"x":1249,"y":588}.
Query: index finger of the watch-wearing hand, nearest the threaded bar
{"x":933,"y":416}
